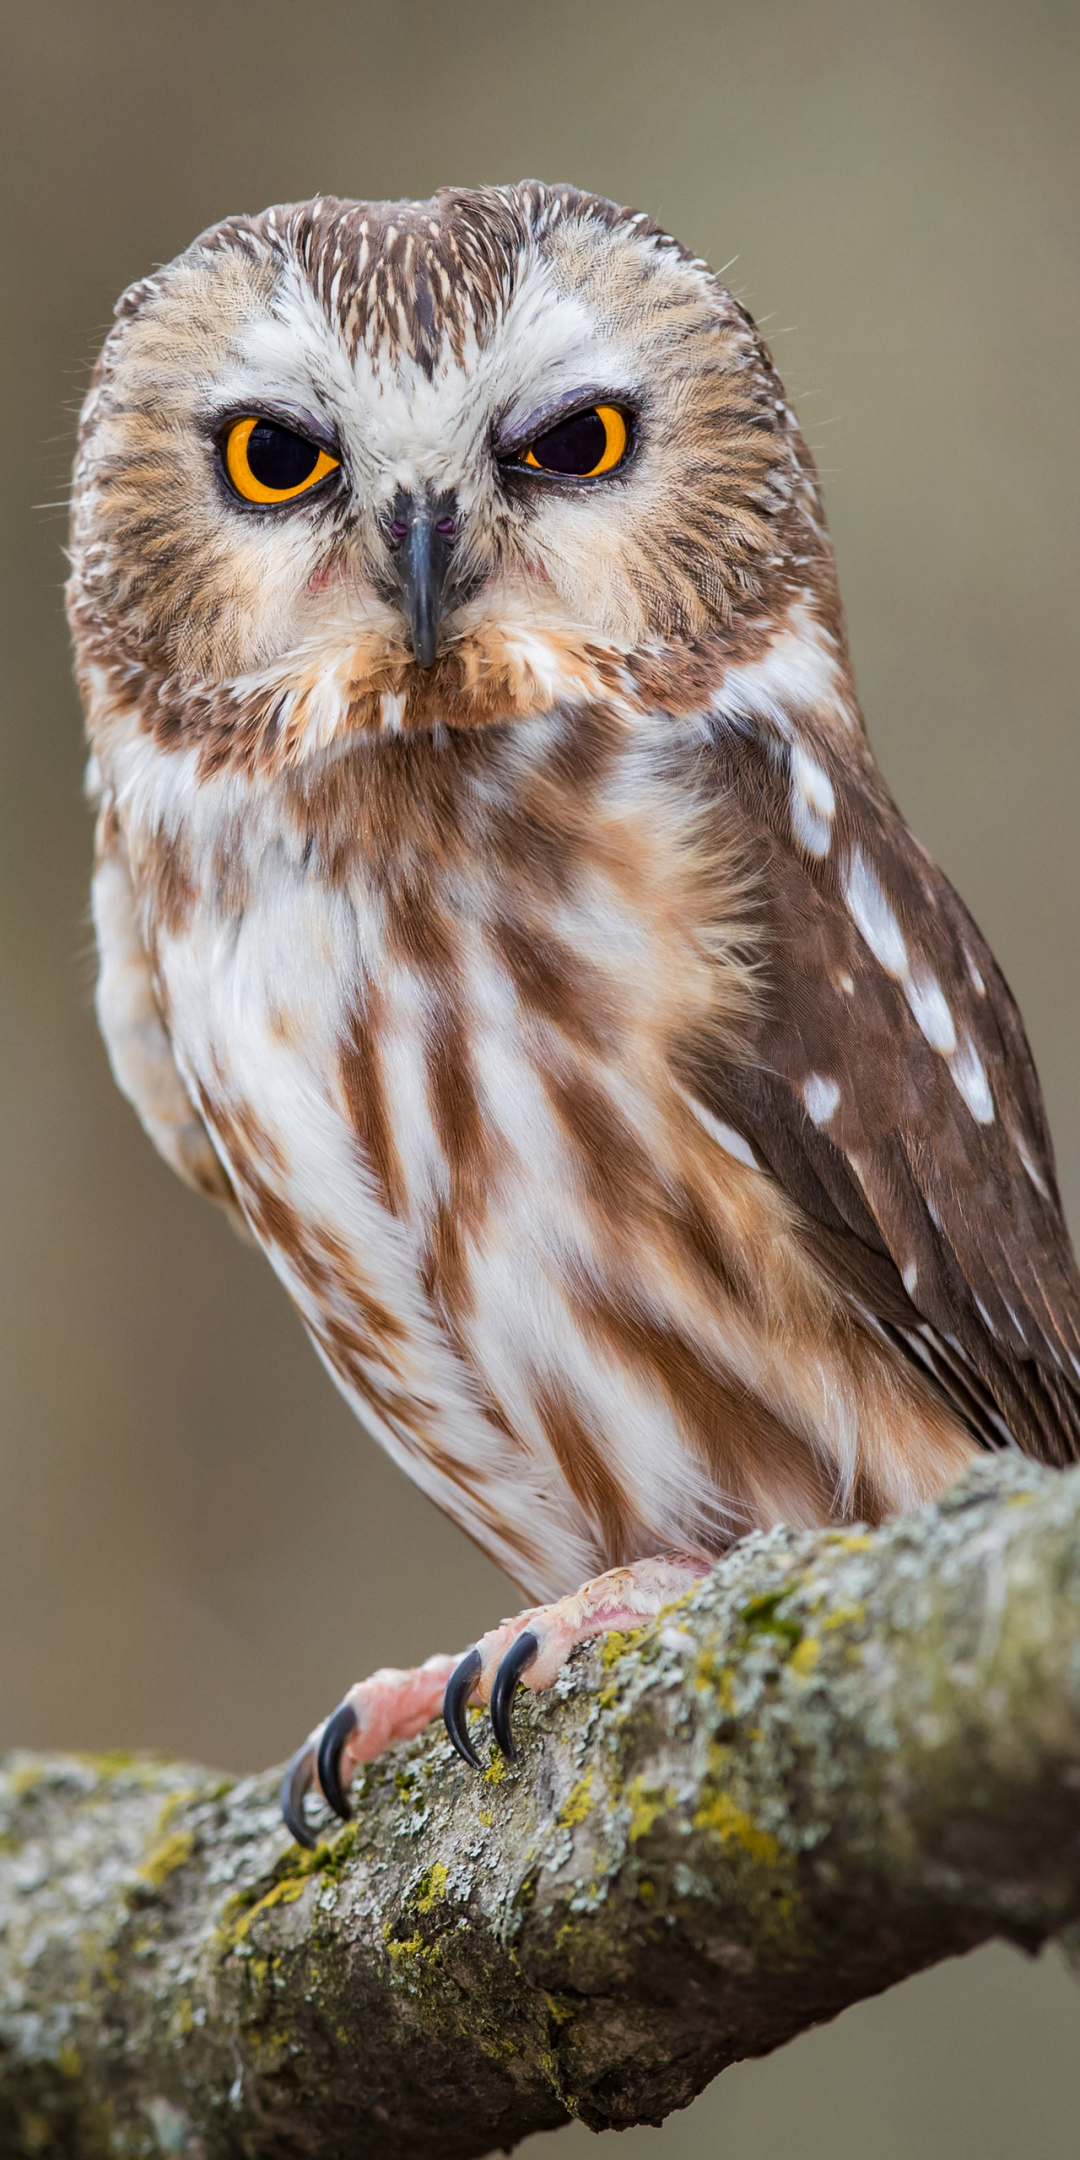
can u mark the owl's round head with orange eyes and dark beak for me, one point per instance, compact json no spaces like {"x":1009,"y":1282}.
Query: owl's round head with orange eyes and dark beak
{"x":401,"y":461}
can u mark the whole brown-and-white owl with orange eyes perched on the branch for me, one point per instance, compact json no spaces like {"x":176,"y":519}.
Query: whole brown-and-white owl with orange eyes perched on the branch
{"x":502,"y":915}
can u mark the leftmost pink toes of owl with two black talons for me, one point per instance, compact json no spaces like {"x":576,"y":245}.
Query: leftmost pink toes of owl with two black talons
{"x":394,"y":1705}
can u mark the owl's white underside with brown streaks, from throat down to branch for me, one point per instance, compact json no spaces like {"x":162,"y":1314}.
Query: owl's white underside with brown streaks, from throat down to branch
{"x":446,"y":1090}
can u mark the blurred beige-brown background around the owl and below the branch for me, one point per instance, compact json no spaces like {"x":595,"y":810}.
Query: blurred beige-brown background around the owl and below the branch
{"x":198,"y":1545}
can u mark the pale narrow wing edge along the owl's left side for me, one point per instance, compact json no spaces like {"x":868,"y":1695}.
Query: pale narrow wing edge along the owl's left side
{"x":135,"y":1031}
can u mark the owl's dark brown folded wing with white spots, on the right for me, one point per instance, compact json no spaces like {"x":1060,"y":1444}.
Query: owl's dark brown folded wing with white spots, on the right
{"x":893,"y":1094}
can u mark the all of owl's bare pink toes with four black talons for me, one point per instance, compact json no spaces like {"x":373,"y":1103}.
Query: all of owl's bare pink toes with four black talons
{"x":530,"y":1651}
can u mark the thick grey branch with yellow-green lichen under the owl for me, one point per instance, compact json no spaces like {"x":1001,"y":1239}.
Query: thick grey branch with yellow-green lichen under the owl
{"x":846,"y":1757}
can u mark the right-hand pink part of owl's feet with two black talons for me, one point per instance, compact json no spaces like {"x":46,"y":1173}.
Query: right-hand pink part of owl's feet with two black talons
{"x":532,"y":1649}
